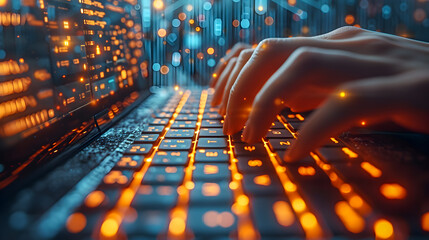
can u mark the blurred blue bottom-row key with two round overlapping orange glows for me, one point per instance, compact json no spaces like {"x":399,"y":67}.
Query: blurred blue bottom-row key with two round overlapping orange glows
{"x":212,"y":222}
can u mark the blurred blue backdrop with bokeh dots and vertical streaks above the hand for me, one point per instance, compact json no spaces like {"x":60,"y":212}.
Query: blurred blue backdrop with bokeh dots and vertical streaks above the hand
{"x":190,"y":36}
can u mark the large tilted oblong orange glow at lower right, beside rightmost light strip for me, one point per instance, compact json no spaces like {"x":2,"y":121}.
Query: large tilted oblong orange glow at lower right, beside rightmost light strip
{"x":351,"y":220}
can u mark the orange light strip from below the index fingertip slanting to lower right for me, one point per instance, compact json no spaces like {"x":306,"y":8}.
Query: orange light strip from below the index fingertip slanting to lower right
{"x":308,"y":220}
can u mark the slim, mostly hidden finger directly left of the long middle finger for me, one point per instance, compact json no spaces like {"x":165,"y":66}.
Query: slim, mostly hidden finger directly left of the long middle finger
{"x":241,"y":61}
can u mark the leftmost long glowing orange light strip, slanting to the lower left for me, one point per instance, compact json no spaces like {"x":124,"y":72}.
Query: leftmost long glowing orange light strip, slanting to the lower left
{"x":110,"y":226}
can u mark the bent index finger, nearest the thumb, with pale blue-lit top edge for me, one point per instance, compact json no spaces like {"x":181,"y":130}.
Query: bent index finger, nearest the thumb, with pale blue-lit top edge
{"x":305,"y":80}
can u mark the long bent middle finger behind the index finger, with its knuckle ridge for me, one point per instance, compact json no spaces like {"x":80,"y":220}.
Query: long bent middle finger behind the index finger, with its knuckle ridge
{"x":270,"y":55}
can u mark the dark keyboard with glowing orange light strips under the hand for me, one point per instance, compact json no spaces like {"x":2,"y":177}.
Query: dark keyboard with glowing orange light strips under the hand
{"x":182,"y":178}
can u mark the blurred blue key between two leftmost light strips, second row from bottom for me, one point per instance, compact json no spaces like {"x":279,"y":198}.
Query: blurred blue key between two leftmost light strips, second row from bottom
{"x":151,"y":197}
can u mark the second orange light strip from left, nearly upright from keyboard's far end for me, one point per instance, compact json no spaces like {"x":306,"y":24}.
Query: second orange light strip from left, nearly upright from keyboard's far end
{"x":179,"y":214}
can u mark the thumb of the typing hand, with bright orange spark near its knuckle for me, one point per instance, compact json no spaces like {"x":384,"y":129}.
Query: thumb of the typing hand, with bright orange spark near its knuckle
{"x":359,"y":103}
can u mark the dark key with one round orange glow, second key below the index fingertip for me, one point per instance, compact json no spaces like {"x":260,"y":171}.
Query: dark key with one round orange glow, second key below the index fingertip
{"x":262,"y":185}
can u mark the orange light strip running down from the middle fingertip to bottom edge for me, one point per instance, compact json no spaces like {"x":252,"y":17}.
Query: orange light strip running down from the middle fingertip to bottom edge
{"x":246,"y":229}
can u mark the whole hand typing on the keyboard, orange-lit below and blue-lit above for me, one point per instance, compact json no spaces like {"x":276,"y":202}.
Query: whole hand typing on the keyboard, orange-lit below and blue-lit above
{"x":349,"y":76}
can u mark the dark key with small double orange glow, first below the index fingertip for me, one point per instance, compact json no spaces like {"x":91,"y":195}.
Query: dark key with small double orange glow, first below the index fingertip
{"x":254,"y":164}
